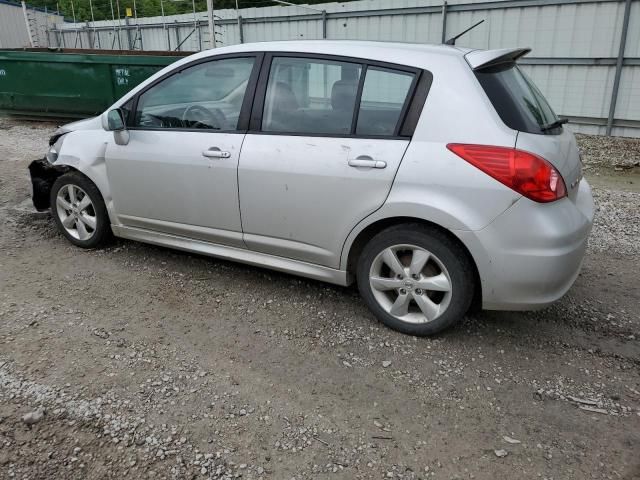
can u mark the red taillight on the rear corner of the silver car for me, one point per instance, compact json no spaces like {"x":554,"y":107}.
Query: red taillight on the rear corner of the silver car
{"x":524,"y":172}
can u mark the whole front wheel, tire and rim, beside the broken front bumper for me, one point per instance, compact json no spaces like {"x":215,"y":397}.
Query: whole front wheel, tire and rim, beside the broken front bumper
{"x":79,"y":211}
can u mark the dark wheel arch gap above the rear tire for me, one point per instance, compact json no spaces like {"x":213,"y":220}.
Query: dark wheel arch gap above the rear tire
{"x":352,"y":251}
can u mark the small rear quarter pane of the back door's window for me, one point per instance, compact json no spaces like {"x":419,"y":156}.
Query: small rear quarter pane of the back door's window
{"x":383,"y":98}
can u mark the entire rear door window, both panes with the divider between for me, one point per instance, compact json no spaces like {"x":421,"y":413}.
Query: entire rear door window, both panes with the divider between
{"x":329,"y":97}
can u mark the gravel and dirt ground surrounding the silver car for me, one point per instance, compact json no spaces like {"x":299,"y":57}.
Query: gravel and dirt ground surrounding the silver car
{"x":150,"y":363}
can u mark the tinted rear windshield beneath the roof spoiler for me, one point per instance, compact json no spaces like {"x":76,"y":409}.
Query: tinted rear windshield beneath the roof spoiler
{"x":517,"y":100}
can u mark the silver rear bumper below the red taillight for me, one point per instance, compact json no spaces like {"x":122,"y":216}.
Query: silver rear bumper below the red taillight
{"x":531,"y":255}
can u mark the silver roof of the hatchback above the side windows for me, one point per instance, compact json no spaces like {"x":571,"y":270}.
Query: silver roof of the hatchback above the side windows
{"x":413,"y":54}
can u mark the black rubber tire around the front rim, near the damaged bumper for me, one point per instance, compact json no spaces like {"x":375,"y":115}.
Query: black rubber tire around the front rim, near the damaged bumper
{"x":102,"y":233}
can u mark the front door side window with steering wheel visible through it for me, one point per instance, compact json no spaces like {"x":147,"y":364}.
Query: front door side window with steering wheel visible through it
{"x":206,"y":96}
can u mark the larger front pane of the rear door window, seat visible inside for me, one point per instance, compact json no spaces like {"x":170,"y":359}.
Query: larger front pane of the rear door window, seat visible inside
{"x":310,"y":96}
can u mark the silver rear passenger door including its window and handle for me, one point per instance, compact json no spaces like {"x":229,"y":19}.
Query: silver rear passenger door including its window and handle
{"x":325,"y":142}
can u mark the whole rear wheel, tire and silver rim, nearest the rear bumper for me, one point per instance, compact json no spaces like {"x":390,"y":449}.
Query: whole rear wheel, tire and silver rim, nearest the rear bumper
{"x":415,"y":279}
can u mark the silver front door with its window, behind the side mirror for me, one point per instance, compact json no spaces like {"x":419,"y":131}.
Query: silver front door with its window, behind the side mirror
{"x":178,"y":172}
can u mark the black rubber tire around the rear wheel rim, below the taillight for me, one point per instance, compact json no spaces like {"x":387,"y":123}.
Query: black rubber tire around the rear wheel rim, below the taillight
{"x":454,"y":258}
